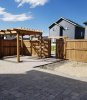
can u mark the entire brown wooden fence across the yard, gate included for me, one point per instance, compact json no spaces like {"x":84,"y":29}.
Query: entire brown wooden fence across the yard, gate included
{"x":70,"y":49}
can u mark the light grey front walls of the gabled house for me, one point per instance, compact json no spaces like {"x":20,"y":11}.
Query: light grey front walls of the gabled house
{"x":70,"y":32}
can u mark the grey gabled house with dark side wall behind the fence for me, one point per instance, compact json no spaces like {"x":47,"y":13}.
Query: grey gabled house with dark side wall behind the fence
{"x":68,"y":28}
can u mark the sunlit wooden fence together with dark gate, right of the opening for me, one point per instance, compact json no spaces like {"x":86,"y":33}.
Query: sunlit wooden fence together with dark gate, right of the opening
{"x":72,"y":49}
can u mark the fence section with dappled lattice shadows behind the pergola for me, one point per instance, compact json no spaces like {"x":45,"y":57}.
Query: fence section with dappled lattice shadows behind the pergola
{"x":37,"y":48}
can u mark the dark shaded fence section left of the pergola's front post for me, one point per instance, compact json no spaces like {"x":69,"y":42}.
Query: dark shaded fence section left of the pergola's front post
{"x":8,"y":47}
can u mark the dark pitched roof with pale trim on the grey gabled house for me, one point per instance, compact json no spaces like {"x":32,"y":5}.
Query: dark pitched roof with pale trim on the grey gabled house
{"x":68,"y":20}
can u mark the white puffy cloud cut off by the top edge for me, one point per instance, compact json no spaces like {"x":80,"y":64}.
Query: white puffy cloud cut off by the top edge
{"x":32,"y":3}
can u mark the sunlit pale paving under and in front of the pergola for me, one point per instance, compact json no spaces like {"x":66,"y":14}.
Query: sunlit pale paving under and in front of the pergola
{"x":9,"y":65}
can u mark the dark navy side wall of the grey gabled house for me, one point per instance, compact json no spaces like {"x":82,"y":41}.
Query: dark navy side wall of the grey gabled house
{"x":79,"y":33}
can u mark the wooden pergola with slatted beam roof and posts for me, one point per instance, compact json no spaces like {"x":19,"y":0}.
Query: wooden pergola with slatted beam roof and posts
{"x":21,"y":32}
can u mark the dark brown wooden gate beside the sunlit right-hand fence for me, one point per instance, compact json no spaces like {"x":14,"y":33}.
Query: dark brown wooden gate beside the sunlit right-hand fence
{"x":60,"y":48}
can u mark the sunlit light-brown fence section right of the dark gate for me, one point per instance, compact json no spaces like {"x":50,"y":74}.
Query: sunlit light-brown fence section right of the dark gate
{"x":76,"y":50}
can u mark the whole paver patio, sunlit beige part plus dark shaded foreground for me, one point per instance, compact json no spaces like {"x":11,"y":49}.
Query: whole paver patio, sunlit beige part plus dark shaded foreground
{"x":23,"y":82}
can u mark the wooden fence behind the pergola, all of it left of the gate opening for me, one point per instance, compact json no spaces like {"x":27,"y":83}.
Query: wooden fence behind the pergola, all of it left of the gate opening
{"x":30,"y":48}
